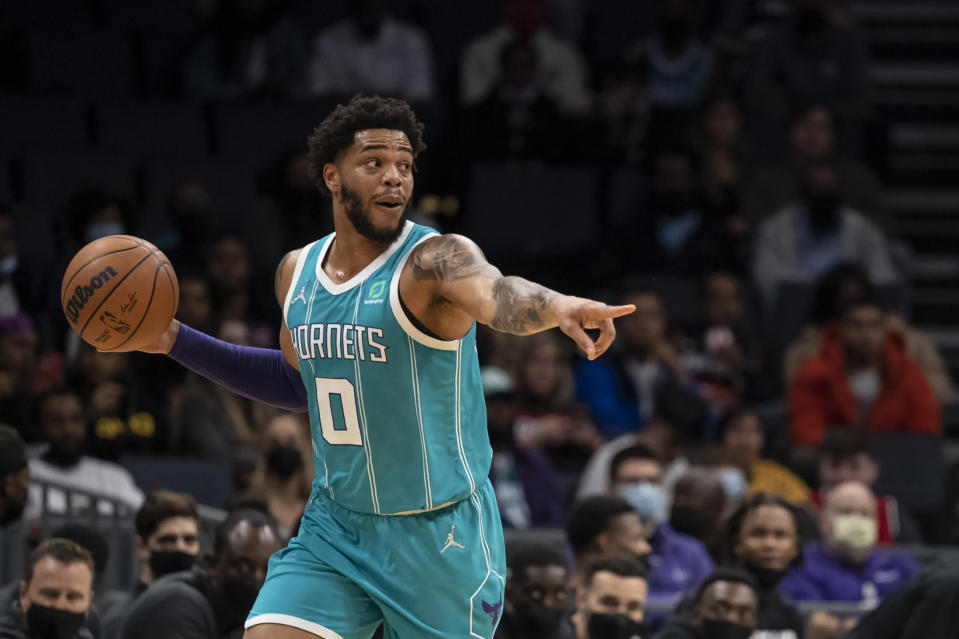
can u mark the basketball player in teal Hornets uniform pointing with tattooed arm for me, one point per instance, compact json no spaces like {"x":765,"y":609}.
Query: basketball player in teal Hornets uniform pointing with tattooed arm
{"x":402,"y":526}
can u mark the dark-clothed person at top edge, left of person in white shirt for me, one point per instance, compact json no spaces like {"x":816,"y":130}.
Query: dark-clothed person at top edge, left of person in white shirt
{"x":250,"y":49}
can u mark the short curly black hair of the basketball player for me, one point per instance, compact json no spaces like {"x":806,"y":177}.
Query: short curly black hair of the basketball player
{"x":336,"y":132}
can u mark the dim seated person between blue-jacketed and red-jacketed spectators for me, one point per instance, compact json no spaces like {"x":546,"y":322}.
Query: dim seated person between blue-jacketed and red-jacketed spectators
{"x":721,"y":355}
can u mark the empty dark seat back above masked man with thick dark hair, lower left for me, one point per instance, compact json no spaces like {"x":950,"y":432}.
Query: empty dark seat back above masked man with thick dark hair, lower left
{"x":206,"y":479}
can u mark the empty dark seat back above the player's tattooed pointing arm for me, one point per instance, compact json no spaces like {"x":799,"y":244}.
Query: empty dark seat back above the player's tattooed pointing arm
{"x":535,"y":210}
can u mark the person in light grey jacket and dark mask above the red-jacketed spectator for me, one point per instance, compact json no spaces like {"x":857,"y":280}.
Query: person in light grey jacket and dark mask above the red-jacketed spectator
{"x":809,"y":236}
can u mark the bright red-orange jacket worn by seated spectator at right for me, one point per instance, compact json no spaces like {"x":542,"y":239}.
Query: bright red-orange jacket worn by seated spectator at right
{"x":820,"y":396}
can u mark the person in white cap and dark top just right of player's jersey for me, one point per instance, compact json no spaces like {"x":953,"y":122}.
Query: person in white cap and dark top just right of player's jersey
{"x":523,"y":477}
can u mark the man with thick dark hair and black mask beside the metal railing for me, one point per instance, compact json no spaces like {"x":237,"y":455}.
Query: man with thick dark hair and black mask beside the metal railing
{"x":167,"y":541}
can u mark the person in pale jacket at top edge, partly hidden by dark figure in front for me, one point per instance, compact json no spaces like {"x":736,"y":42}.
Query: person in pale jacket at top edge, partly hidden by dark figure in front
{"x":561,"y":70}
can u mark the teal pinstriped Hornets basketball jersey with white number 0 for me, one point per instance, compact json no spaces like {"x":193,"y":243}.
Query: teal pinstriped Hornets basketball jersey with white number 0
{"x":397,"y":416}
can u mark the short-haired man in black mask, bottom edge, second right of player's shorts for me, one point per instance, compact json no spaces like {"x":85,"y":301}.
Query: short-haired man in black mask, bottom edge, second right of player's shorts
{"x":611,"y":600}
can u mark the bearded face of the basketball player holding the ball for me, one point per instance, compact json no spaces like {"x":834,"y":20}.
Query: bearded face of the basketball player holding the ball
{"x":374,"y":183}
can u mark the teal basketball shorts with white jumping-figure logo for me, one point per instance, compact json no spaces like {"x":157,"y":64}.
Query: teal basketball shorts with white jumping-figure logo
{"x":436,"y":574}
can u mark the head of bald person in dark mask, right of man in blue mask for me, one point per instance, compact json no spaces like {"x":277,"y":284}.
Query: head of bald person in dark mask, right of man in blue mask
{"x":698,"y":505}
